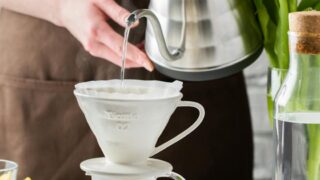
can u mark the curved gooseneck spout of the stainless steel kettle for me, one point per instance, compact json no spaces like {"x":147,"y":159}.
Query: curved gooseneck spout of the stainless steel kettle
{"x":172,"y":55}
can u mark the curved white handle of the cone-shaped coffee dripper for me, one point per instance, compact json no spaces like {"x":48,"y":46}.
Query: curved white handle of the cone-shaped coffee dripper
{"x":183,"y":134}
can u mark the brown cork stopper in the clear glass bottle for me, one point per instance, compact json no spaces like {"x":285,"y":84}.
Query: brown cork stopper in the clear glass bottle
{"x":306,"y":27}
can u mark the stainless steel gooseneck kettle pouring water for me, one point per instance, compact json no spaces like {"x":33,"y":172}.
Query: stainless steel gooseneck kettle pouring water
{"x":200,"y":40}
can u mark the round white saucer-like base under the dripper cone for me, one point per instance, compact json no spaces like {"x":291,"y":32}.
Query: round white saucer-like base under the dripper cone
{"x":103,"y":167}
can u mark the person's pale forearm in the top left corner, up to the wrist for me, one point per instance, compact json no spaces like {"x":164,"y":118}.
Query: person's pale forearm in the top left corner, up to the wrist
{"x":44,"y":9}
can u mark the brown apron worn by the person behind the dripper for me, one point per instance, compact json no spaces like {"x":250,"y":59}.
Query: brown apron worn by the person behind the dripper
{"x":43,"y":129}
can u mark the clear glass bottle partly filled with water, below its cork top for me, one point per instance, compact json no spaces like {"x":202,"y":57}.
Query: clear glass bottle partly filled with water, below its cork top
{"x":297,"y":113}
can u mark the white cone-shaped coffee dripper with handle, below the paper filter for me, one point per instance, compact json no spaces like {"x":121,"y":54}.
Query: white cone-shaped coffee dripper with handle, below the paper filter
{"x":127,"y":129}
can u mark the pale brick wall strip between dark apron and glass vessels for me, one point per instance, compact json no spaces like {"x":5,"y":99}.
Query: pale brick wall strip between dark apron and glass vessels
{"x":256,"y":79}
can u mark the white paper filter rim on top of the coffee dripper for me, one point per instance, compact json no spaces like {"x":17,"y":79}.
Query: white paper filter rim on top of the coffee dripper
{"x":130,"y":90}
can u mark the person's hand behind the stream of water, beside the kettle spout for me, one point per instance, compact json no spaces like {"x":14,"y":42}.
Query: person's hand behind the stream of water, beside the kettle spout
{"x":86,"y":20}
